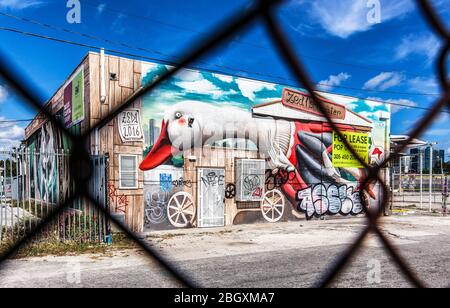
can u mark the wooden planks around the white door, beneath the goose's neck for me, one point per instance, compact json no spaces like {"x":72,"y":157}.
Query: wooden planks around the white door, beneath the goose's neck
{"x":216,"y":158}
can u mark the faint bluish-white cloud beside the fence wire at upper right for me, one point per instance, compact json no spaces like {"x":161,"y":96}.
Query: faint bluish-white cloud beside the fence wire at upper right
{"x":424,"y":45}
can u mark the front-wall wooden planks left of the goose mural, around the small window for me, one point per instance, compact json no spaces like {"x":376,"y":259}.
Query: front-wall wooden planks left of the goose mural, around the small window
{"x":128,"y":72}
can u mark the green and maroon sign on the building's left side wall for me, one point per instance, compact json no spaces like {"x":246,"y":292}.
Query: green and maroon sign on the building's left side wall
{"x":74,"y":111}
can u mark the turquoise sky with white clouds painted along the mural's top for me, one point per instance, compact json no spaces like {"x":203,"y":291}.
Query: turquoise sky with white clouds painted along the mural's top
{"x":225,"y":90}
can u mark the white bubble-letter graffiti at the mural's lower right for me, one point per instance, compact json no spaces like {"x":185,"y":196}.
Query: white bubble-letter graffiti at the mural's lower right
{"x":320,"y":200}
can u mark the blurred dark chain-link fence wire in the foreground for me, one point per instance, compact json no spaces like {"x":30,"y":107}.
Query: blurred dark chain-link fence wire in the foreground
{"x":81,"y":167}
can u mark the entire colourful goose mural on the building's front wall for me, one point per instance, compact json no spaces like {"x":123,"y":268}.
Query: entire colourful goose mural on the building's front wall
{"x":304,"y":158}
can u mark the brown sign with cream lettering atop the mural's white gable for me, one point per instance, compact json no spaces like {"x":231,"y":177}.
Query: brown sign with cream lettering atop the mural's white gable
{"x":303,"y":102}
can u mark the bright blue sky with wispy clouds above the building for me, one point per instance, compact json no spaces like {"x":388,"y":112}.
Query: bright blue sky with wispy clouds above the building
{"x":345,"y":53}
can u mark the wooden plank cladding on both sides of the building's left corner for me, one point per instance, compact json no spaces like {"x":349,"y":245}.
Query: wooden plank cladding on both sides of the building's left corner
{"x":128,"y":81}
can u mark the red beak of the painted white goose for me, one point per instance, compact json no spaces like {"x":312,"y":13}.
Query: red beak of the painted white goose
{"x":161,"y":152}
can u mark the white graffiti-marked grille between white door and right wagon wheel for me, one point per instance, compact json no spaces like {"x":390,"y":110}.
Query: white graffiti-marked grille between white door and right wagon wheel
{"x":250,"y":180}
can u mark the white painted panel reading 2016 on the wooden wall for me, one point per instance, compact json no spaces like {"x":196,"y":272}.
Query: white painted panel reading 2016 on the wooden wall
{"x":130,"y":129}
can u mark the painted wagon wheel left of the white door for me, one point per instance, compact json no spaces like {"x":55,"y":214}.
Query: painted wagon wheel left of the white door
{"x":181,"y":210}
